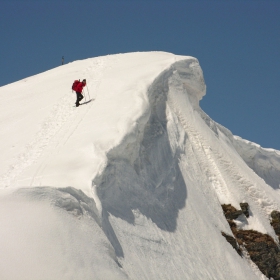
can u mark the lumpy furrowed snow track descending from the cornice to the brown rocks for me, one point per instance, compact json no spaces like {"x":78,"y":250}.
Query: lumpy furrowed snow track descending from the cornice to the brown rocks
{"x":216,"y":164}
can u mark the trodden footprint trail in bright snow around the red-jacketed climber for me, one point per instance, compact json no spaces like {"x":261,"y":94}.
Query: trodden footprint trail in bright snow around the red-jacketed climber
{"x":64,"y":118}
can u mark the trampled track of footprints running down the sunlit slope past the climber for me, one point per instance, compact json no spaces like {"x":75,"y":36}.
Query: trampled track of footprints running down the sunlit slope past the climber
{"x":61,"y":112}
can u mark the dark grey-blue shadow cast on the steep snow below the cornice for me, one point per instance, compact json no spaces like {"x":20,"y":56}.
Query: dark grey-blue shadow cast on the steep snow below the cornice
{"x":151,"y":183}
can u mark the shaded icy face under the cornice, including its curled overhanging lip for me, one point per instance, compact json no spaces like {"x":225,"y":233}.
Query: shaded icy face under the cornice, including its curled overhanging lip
{"x":143,"y":171}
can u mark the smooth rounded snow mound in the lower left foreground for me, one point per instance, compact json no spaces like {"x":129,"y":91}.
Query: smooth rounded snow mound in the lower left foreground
{"x":49,"y":234}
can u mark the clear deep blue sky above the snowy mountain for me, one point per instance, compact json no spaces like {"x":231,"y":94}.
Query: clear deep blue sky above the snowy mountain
{"x":236,"y":42}
